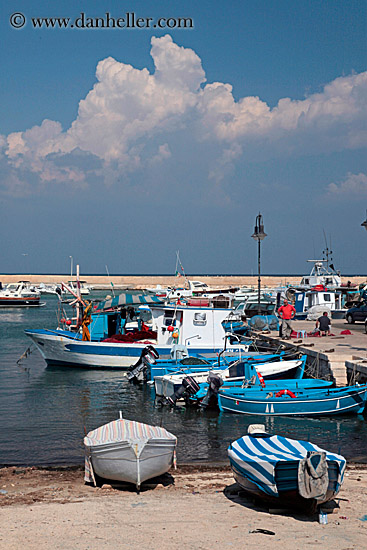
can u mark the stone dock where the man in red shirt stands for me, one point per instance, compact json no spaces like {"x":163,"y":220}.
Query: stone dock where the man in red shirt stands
{"x":338,"y":357}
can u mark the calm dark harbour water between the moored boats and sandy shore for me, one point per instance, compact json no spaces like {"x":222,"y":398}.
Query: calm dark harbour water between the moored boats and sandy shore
{"x":44,"y":411}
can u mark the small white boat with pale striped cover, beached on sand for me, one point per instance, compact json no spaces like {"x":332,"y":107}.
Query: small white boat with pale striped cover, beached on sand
{"x":128,"y":451}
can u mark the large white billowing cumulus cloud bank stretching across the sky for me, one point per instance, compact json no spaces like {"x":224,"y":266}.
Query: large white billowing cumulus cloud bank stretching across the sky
{"x":128,"y":121}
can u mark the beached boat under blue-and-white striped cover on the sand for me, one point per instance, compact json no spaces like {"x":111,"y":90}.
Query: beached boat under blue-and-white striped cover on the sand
{"x":285,"y":473}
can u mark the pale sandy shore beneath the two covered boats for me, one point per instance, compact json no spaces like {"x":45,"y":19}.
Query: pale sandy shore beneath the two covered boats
{"x":189,"y":508}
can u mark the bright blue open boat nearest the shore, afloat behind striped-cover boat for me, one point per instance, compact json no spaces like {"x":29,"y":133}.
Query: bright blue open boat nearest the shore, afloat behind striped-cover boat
{"x":308,"y":402}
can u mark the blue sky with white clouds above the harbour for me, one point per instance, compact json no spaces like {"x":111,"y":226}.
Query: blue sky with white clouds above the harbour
{"x":120,"y":146}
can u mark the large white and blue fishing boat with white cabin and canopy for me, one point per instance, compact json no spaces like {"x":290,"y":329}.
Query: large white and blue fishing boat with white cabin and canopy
{"x":199,"y":329}
